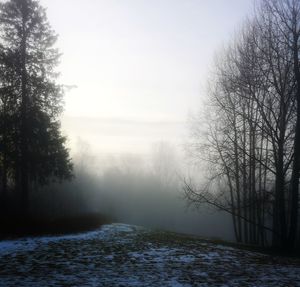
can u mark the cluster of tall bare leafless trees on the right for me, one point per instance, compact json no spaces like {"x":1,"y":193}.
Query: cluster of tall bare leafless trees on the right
{"x":253,"y":133}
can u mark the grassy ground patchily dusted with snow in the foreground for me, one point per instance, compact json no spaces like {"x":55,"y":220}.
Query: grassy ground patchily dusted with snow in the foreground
{"x":125,"y":255}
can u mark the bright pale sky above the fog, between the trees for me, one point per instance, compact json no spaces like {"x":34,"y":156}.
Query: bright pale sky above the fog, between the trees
{"x":138,"y":67}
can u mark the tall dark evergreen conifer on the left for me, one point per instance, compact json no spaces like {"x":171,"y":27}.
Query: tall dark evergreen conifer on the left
{"x":32,"y":148}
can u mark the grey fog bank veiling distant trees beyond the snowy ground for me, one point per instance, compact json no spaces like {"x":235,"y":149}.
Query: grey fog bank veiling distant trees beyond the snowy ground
{"x":141,"y":190}
